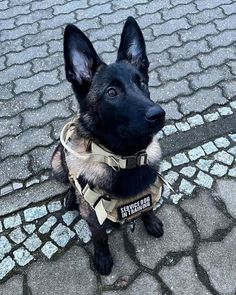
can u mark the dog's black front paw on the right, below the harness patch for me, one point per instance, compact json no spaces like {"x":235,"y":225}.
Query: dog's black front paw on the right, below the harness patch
{"x":153,"y":224}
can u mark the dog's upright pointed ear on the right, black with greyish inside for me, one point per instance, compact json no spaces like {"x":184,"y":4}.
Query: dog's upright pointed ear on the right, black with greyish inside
{"x":132,"y":46}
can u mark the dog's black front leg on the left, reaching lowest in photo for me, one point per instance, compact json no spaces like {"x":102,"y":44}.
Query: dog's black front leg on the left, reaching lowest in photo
{"x":103,"y":261}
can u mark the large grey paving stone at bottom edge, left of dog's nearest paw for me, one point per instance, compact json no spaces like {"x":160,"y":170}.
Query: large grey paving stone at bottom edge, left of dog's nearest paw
{"x":51,"y":278}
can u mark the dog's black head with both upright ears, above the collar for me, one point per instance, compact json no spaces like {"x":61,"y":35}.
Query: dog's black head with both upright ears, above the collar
{"x":115,"y":105}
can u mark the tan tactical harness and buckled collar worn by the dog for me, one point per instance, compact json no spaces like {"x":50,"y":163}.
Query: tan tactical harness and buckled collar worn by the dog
{"x":105,"y":206}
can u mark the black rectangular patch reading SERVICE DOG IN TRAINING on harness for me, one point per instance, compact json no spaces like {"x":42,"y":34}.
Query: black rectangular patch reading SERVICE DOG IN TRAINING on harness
{"x":132,"y":208}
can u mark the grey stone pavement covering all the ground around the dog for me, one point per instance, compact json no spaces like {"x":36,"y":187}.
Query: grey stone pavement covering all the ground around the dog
{"x":192,"y":51}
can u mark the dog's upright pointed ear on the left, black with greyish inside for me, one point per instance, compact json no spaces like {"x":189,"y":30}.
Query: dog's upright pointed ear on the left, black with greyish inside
{"x":81,"y":59}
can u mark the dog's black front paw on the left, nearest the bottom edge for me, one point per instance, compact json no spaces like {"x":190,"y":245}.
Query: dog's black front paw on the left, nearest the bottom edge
{"x":103,"y":262}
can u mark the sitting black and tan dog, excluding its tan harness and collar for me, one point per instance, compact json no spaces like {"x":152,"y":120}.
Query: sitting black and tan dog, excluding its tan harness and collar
{"x":115,"y":112}
